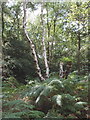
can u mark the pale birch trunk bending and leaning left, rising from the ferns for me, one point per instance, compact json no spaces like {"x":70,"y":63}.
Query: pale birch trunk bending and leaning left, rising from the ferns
{"x":31,"y":44}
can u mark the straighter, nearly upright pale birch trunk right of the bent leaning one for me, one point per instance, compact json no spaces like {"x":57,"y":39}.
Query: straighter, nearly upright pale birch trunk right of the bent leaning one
{"x":43,"y":42}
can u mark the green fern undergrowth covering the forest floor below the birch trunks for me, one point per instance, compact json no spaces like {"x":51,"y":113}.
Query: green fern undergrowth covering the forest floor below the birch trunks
{"x":53,"y":98}
